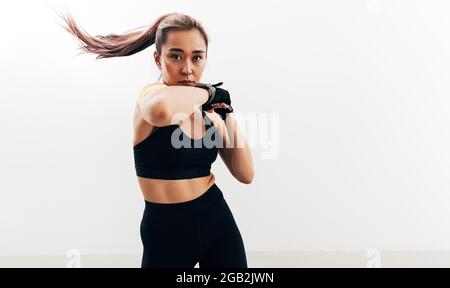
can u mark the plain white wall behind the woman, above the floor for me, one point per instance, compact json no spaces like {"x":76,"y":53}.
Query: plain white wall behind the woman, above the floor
{"x":354,"y":95}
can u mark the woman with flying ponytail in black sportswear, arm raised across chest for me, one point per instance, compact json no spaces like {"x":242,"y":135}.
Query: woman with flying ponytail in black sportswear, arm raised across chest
{"x":186,"y":219}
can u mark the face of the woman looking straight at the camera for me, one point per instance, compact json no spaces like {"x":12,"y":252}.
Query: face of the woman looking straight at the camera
{"x":183,"y":57}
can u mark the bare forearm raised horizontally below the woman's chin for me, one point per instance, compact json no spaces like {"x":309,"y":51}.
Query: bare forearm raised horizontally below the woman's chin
{"x":179,"y":102}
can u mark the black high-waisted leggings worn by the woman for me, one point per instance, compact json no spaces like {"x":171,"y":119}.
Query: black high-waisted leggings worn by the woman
{"x":201,"y":230}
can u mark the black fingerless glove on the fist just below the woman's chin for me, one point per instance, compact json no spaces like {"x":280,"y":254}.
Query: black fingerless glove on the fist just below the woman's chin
{"x":216,"y":95}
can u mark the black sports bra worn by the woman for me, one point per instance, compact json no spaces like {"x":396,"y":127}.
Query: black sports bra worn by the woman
{"x":169,"y":153}
